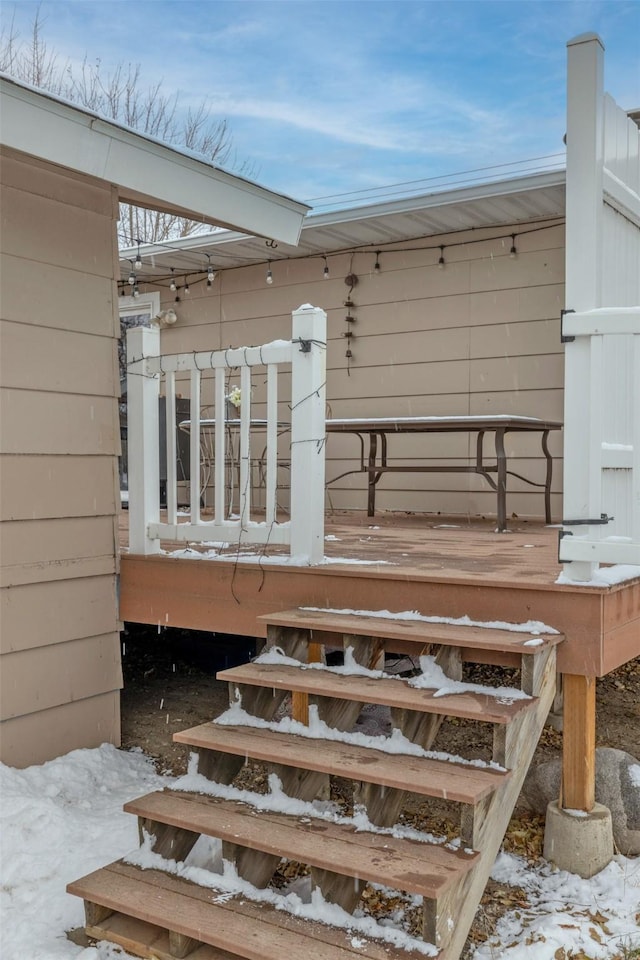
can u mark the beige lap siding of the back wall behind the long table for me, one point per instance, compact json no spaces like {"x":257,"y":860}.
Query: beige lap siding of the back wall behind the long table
{"x":481,"y":335}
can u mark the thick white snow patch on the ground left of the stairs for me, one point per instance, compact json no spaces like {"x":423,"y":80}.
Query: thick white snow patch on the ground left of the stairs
{"x":59,"y":821}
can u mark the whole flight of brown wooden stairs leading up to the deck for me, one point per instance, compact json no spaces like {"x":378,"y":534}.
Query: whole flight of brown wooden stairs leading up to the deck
{"x":156,"y":914}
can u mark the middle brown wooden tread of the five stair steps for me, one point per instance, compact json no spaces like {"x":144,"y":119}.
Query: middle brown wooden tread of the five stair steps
{"x":463,"y":783}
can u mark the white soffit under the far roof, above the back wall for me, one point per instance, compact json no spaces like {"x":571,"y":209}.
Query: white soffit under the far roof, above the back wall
{"x":536,"y":197}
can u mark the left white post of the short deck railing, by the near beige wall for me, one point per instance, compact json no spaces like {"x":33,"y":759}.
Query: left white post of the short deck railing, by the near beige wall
{"x":143,"y":440}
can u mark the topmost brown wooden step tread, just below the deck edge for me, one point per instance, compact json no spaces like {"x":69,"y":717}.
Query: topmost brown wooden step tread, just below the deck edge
{"x":419,"y":631}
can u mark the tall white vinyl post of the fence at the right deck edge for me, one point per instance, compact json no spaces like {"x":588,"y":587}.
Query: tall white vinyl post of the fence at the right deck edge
{"x":585,"y":89}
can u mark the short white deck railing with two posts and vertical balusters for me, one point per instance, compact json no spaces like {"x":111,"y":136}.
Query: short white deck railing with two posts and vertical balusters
{"x":151,"y":374}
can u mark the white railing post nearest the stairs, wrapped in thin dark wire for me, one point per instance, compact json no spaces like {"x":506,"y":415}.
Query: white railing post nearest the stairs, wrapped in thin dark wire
{"x":308,"y":406}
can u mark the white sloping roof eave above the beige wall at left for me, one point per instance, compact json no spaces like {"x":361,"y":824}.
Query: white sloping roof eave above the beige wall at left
{"x":146,"y":172}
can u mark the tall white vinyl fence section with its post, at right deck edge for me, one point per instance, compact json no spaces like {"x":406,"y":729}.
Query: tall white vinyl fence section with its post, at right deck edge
{"x":602,"y":369}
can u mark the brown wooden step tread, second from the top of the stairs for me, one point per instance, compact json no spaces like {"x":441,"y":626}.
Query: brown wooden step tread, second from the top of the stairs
{"x":389,"y":691}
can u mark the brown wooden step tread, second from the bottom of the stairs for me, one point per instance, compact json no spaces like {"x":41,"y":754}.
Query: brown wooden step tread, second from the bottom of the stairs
{"x":427,"y":869}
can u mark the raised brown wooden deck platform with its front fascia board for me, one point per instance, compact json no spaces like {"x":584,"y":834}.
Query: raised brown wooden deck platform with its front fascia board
{"x":439,"y":566}
